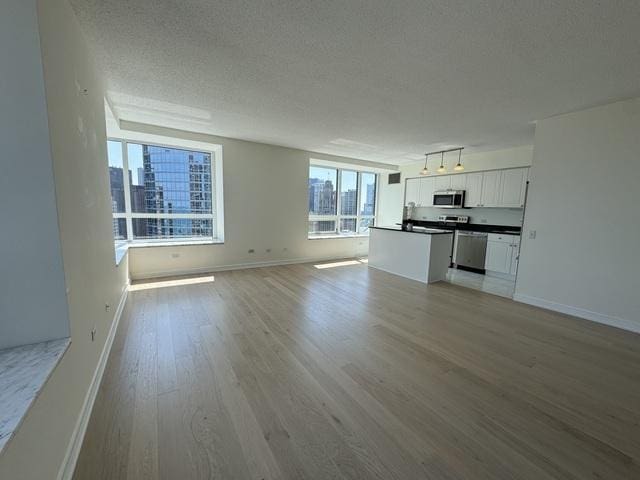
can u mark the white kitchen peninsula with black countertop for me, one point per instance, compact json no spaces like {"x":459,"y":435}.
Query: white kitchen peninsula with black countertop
{"x":422,"y":254}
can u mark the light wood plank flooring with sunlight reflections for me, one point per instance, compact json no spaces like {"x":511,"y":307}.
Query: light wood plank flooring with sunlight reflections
{"x":348,"y":372}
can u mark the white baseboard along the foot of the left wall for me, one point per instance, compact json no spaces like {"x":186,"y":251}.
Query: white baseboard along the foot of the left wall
{"x":75,"y":444}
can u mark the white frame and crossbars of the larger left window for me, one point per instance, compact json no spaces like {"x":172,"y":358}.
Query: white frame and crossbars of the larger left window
{"x":129,"y":215}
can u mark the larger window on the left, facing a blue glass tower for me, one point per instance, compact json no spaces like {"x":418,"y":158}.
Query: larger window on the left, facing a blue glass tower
{"x":166,"y":195}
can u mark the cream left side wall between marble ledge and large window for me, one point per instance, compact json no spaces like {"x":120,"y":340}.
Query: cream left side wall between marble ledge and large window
{"x":77,"y":129}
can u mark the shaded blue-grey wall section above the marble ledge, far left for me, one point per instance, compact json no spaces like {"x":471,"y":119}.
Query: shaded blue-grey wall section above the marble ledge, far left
{"x":33,"y":307}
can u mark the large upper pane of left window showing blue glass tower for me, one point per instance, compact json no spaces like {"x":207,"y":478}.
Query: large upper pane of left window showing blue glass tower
{"x":169,"y":180}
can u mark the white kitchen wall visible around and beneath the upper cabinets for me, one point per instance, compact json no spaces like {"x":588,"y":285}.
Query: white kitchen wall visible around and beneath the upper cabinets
{"x":393,"y":195}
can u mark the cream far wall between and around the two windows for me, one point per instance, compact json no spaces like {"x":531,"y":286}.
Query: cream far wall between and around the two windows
{"x":266,"y":207}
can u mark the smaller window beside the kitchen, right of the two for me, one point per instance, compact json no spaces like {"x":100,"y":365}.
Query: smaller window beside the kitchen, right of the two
{"x":341,"y":202}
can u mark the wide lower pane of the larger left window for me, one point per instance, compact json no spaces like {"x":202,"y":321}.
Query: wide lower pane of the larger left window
{"x":171,"y":228}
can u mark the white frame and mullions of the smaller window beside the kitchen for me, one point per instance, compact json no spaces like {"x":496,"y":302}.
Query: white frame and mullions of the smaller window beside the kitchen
{"x":338,"y":217}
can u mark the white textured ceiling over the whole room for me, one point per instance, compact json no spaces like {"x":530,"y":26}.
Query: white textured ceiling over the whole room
{"x":374,"y":79}
